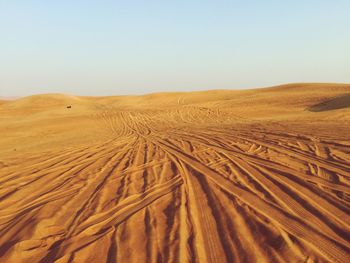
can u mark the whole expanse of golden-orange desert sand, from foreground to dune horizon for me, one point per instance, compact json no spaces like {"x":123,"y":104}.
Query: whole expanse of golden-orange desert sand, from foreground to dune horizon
{"x":258,"y":175}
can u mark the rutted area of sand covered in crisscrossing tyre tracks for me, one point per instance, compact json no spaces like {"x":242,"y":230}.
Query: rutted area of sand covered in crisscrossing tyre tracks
{"x":174,"y":186}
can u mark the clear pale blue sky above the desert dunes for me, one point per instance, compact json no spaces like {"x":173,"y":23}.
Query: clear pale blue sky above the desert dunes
{"x":136,"y":47}
